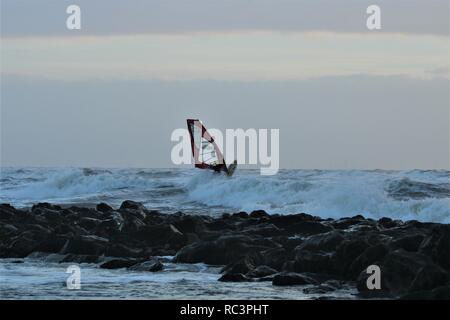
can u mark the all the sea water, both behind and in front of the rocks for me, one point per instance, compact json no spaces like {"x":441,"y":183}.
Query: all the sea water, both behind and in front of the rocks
{"x":422,"y":195}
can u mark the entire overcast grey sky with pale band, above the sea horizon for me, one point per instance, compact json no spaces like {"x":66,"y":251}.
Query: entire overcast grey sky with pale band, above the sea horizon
{"x":110,"y":94}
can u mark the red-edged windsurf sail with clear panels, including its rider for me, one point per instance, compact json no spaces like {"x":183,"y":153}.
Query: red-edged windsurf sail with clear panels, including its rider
{"x":205,"y":151}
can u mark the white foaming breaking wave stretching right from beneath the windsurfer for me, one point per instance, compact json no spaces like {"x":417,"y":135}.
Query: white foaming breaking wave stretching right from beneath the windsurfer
{"x":329,"y":194}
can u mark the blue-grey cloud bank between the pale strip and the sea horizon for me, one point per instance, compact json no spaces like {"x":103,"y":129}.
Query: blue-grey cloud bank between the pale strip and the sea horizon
{"x":352,"y":122}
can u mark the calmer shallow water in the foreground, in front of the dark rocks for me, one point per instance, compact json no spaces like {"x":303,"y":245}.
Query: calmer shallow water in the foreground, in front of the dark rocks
{"x":44,"y":279}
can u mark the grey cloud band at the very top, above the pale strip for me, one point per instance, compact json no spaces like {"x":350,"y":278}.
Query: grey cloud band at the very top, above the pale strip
{"x":111,"y":17}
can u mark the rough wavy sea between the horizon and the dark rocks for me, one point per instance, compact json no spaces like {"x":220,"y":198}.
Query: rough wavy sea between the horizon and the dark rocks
{"x":417,"y":194}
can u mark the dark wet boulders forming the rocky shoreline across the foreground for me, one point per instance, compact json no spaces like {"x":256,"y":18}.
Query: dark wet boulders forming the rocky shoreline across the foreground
{"x":297,"y":249}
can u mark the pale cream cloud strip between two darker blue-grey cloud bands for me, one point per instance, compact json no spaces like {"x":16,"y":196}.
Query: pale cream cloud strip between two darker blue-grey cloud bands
{"x":226,"y":56}
